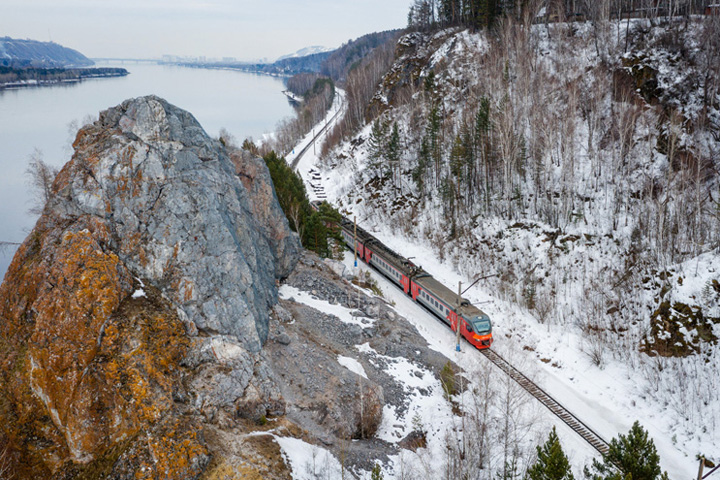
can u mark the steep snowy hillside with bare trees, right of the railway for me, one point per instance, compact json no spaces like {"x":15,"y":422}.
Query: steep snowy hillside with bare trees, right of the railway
{"x":572,"y":149}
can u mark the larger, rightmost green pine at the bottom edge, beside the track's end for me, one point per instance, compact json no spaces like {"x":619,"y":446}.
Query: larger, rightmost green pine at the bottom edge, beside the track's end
{"x":630,"y":457}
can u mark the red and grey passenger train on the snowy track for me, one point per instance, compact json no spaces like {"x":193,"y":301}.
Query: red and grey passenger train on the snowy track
{"x":475,"y":325}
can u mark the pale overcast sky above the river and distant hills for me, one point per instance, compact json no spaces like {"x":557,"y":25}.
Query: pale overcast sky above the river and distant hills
{"x":245,"y":29}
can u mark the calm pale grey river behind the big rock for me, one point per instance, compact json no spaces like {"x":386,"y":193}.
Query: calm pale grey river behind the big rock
{"x":246,"y":105}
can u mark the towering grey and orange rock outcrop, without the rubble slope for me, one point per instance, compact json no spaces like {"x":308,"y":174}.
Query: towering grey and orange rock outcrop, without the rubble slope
{"x":138,"y":304}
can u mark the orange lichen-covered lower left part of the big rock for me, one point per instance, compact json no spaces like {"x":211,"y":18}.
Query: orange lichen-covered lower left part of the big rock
{"x":93,"y":365}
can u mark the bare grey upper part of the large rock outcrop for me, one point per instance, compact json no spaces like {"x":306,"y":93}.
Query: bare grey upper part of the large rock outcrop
{"x":181,"y":218}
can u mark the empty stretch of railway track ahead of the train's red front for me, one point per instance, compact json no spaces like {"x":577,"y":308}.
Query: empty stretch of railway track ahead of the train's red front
{"x":585,"y":432}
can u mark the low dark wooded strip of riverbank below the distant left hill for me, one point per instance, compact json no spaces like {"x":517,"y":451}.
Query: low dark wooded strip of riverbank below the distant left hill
{"x":11,"y":78}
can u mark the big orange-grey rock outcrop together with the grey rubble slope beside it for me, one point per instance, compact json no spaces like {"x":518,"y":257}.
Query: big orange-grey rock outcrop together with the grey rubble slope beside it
{"x":141,"y":331}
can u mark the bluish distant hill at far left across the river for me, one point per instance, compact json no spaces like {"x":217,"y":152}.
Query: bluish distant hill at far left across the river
{"x":31,"y":53}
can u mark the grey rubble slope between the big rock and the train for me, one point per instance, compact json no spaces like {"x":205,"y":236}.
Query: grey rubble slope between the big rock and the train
{"x":330,"y":402}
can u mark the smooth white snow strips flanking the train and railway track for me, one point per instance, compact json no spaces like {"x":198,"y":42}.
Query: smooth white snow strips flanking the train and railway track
{"x":607,"y":398}
